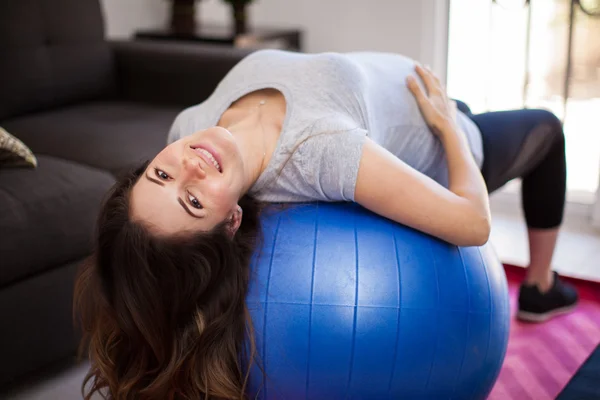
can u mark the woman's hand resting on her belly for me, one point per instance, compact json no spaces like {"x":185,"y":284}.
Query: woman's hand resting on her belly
{"x":437,"y":109}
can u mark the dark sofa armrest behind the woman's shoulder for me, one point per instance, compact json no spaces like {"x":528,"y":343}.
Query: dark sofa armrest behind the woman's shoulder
{"x":176,"y":74}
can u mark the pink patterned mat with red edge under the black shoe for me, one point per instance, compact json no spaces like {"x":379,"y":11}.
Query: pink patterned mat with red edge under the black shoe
{"x":542,"y":358}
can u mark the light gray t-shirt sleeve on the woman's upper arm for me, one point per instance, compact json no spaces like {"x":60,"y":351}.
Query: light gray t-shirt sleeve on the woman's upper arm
{"x":331,"y":161}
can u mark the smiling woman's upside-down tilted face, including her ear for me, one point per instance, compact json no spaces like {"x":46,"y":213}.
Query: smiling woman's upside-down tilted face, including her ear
{"x":193,"y":184}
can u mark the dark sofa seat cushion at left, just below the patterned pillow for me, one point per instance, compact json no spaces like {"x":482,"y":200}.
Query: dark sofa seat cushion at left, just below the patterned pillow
{"x":48,"y":215}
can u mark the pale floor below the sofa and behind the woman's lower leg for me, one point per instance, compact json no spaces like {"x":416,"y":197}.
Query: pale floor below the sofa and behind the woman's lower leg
{"x":577,"y":255}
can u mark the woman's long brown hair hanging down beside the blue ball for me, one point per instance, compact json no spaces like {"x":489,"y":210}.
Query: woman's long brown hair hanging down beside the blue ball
{"x":165,"y":317}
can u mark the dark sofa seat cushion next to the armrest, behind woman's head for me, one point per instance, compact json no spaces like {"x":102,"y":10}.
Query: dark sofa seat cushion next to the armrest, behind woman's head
{"x":110,"y":135}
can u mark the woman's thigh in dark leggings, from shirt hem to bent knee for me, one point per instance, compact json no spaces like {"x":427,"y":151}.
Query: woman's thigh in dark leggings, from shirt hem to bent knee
{"x":514,"y":142}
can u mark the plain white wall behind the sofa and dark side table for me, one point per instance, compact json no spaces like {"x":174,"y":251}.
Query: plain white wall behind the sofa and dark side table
{"x":416,"y":28}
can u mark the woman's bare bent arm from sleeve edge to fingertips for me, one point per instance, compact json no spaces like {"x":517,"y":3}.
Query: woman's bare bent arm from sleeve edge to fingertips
{"x":386,"y":185}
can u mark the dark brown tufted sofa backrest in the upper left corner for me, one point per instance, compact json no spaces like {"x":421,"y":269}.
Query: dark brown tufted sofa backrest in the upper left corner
{"x":52,"y":52}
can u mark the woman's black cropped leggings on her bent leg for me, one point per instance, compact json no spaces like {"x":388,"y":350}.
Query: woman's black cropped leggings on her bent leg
{"x":526,"y":144}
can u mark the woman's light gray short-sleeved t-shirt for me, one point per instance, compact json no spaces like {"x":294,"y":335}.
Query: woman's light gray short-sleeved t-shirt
{"x":333,"y":102}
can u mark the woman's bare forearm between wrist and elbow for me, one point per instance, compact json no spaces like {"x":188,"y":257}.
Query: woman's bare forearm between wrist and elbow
{"x":464,"y":177}
